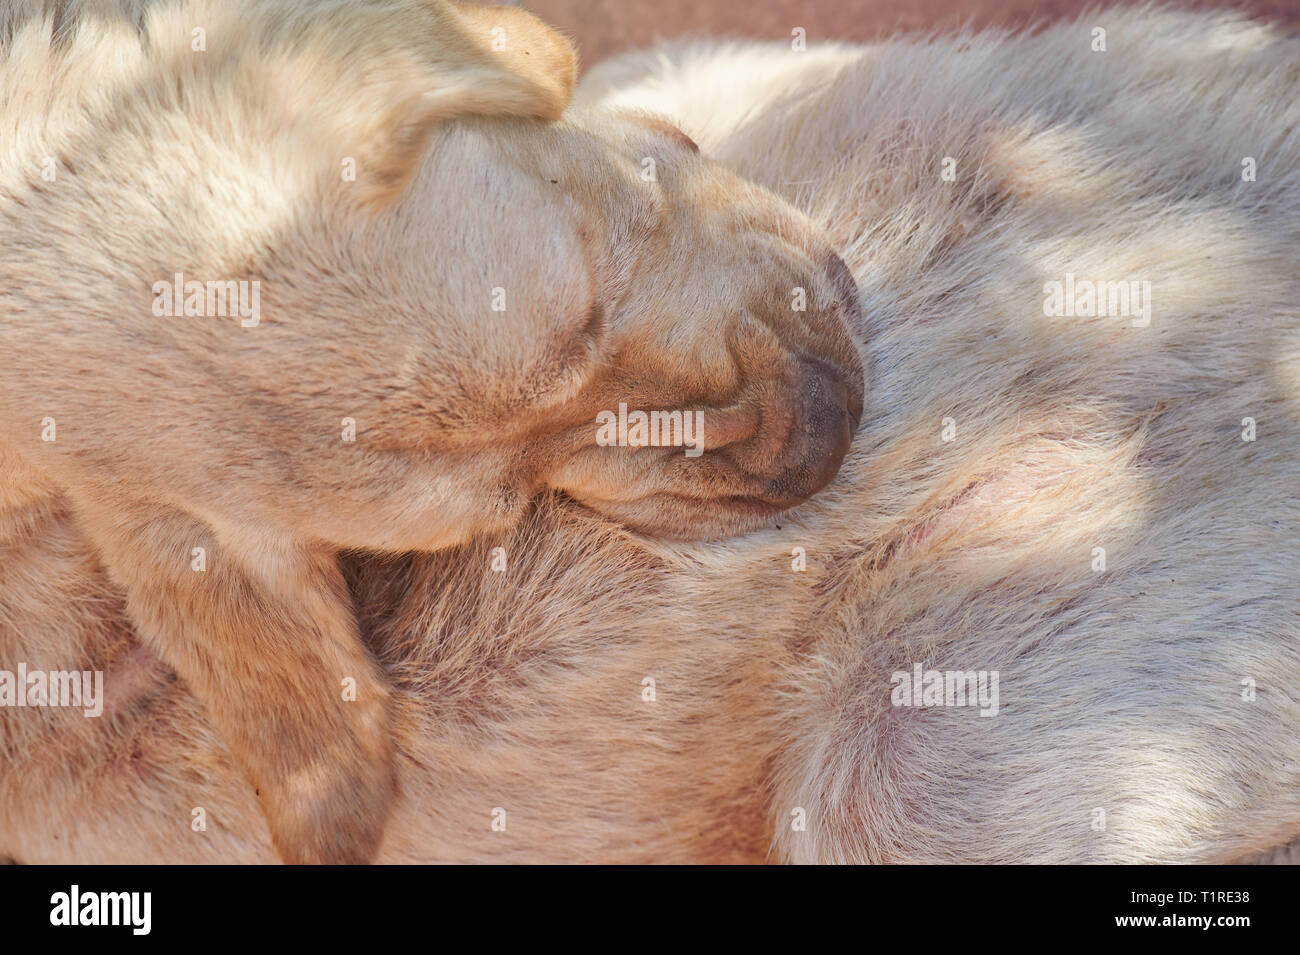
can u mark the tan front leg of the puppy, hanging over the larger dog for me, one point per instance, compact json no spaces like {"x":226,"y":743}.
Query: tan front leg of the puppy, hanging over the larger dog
{"x":266,"y":637}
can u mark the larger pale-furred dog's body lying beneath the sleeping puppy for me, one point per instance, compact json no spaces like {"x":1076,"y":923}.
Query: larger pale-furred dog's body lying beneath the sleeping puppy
{"x":609,"y":698}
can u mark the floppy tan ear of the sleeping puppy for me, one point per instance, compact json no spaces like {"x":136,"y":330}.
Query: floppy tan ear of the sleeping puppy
{"x":445,"y":60}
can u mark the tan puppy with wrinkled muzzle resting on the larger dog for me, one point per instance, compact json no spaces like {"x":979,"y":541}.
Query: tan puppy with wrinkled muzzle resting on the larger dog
{"x":181,"y":436}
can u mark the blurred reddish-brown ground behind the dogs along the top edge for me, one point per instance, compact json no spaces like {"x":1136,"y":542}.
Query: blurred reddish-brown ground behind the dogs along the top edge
{"x":609,"y":27}
